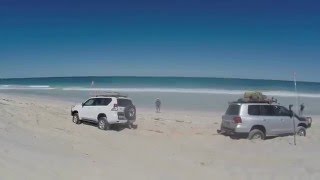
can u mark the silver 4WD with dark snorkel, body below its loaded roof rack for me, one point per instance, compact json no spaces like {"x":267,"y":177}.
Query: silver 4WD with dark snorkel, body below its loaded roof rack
{"x":258,"y":120}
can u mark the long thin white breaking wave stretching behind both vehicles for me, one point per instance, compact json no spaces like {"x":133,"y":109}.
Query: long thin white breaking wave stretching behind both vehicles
{"x":194,"y":91}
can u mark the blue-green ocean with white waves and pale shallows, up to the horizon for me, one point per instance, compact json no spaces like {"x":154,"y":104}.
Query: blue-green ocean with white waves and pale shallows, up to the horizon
{"x":183,"y":93}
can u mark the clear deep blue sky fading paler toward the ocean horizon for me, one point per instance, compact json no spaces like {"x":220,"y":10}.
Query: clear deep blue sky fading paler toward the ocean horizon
{"x":227,"y":38}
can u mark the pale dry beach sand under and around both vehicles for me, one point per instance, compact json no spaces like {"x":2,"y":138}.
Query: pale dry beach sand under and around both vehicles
{"x":39,"y":141}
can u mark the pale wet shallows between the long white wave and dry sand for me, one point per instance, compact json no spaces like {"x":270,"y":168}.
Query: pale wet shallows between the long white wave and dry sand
{"x":170,"y":101}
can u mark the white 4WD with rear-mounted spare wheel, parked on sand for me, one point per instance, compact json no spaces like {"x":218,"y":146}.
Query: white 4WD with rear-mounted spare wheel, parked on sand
{"x":105,"y":110}
